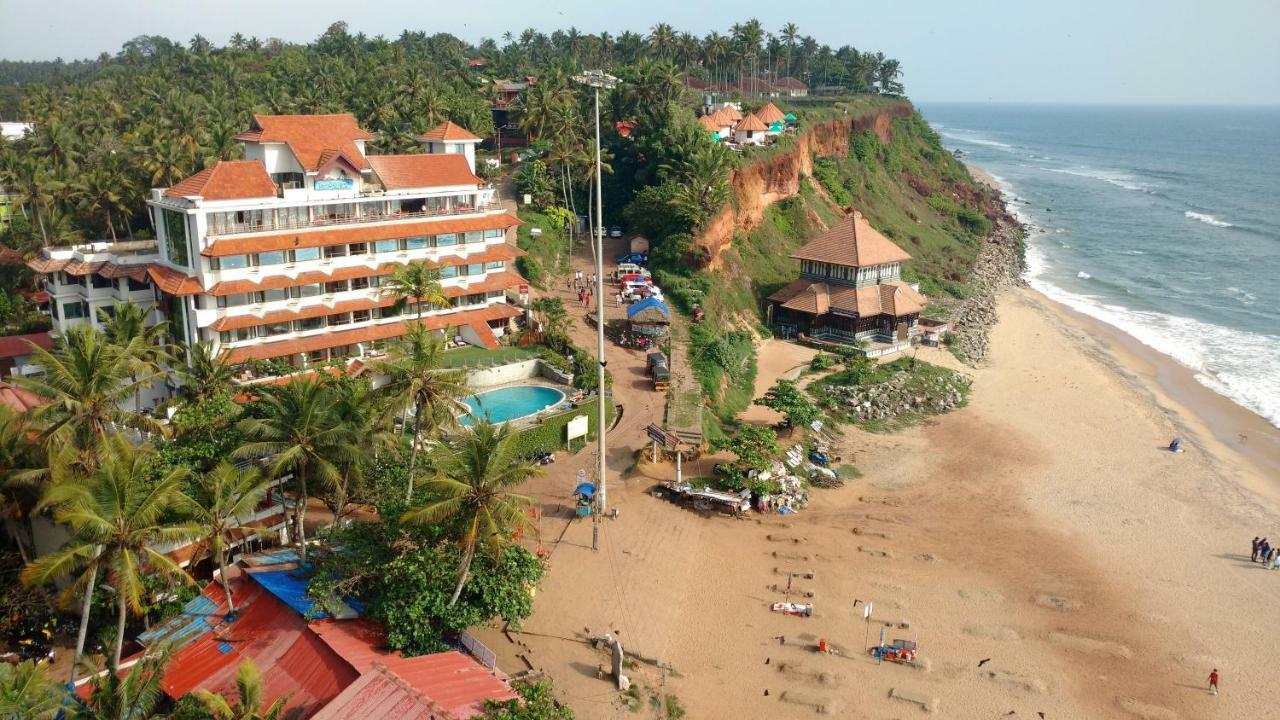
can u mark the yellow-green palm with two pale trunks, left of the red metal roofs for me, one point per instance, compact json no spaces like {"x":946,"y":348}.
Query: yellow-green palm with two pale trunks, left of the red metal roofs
{"x":116,"y":520}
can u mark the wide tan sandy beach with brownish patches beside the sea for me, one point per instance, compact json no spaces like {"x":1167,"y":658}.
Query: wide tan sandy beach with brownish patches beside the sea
{"x":1044,"y":527}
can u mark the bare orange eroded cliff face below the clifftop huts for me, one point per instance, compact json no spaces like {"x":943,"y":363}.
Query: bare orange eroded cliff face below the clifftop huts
{"x":762,"y":183}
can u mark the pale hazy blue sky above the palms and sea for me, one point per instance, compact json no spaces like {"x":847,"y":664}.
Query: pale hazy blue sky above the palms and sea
{"x":1003,"y":51}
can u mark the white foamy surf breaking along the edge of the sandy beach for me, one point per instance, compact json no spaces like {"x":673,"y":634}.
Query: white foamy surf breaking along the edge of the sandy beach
{"x":1241,"y":366}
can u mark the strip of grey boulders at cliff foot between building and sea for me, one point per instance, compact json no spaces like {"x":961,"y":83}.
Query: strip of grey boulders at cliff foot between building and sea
{"x":1000,"y":265}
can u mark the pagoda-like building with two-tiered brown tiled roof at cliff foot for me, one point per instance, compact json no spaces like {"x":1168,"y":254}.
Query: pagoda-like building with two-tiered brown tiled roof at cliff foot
{"x":851,"y":291}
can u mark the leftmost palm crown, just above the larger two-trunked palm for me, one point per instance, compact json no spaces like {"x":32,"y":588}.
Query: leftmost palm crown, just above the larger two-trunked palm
{"x":86,"y":381}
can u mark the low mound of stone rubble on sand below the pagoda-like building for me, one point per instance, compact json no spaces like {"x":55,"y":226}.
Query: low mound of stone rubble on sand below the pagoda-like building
{"x":894,"y":398}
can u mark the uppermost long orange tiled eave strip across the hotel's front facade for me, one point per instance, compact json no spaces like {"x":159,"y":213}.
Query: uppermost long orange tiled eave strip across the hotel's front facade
{"x":319,"y":238}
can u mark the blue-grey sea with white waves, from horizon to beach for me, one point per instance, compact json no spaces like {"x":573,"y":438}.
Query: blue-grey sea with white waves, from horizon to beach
{"x":1164,"y":222}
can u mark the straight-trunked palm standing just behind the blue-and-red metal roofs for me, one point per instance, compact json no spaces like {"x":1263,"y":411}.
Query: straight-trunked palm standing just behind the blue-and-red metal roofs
{"x":300,"y":434}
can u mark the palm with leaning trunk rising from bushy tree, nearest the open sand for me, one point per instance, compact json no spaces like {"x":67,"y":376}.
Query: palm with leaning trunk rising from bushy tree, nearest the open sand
{"x":474,"y":493}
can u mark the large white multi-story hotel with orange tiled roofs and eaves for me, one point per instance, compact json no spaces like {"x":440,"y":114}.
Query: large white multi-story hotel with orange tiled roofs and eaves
{"x":282,"y":256}
